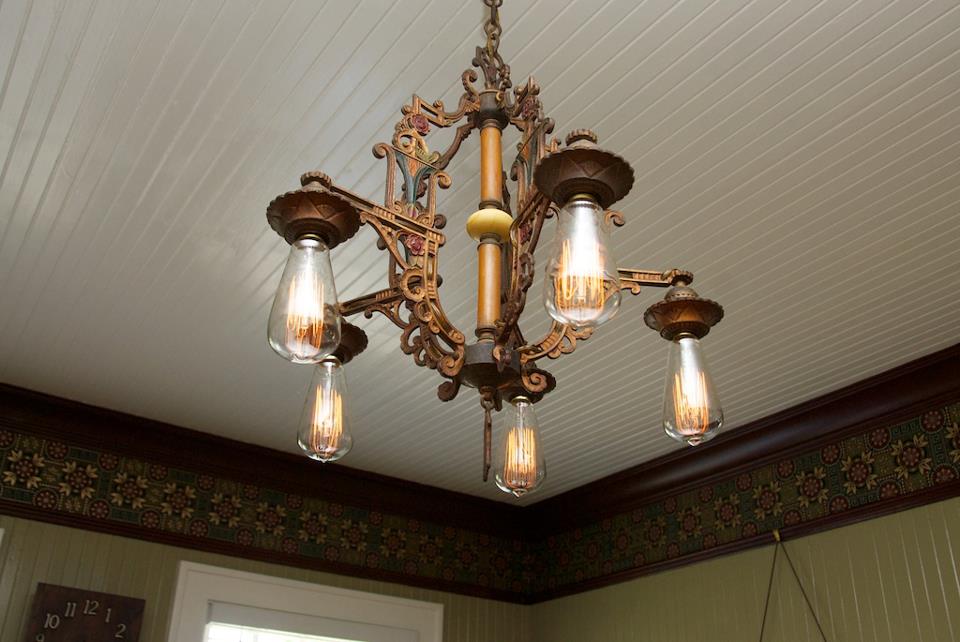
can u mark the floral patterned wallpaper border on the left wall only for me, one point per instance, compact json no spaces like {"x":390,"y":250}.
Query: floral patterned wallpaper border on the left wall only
{"x":100,"y":486}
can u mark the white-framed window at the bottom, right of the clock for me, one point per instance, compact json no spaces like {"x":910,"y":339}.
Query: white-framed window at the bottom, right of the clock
{"x":221,"y":605}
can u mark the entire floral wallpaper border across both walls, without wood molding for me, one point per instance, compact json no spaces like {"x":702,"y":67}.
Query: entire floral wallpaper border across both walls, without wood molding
{"x":190,"y":507}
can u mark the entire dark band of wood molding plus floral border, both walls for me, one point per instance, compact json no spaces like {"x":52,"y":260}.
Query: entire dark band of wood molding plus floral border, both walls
{"x":658,"y":515}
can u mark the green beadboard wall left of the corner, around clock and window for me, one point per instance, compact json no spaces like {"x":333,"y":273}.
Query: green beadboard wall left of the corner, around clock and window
{"x":33,"y":552}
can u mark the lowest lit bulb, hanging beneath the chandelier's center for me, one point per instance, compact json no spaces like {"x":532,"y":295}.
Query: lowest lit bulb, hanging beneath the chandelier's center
{"x":519,"y":464}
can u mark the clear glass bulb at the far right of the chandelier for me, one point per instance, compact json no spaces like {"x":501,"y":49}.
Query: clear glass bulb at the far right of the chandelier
{"x":691,"y":407}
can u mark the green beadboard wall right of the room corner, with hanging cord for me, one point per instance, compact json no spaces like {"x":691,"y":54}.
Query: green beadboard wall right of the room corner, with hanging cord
{"x":891,"y":579}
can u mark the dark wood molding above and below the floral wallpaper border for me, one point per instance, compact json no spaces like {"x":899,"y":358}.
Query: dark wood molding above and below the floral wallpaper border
{"x":899,"y":395}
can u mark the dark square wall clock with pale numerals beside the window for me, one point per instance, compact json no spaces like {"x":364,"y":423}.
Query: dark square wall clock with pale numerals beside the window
{"x":64,"y":614}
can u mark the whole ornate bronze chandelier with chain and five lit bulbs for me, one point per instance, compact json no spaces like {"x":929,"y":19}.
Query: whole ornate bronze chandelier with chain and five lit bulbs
{"x":576,"y":184}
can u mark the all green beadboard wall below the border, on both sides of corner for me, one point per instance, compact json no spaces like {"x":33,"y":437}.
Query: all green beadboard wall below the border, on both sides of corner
{"x":891,"y":579}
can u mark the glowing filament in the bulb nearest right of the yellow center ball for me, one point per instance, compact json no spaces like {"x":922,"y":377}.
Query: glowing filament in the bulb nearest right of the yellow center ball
{"x":580,"y":285}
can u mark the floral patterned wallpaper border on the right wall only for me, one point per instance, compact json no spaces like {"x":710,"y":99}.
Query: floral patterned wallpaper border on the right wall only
{"x":881,"y":464}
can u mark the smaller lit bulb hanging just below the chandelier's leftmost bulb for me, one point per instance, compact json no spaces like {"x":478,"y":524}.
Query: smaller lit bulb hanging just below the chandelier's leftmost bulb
{"x":324,"y":431}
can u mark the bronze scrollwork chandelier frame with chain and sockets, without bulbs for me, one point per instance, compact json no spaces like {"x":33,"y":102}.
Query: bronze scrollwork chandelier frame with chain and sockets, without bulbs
{"x":502,"y":363}
